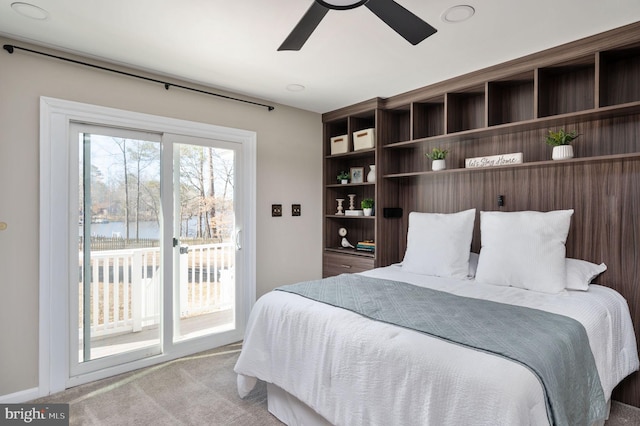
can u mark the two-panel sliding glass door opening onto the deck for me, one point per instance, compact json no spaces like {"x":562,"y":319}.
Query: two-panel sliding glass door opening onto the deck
{"x":156,"y":244}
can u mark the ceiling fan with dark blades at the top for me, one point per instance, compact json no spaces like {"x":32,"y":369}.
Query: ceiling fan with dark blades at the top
{"x":405,"y":23}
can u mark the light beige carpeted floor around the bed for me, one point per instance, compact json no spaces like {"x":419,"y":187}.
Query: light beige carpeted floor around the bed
{"x":195,"y":390}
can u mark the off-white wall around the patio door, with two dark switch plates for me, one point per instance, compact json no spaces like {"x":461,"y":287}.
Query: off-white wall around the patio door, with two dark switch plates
{"x":289,"y":171}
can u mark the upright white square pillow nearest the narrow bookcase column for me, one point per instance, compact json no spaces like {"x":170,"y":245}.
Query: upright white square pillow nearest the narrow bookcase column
{"x":438,"y":243}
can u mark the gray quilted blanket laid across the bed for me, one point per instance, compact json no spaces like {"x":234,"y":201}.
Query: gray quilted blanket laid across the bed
{"x":554,"y":347}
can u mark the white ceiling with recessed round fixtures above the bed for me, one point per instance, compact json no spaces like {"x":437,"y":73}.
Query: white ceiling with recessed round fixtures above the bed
{"x":351,"y":57}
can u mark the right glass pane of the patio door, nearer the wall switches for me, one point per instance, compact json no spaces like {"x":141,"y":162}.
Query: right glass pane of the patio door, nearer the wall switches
{"x":204,"y":259}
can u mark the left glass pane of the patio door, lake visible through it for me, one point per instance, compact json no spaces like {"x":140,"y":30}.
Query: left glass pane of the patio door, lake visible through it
{"x":119,"y":245}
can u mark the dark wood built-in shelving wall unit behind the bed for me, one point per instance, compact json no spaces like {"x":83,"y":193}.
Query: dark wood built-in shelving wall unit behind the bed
{"x":591,"y":86}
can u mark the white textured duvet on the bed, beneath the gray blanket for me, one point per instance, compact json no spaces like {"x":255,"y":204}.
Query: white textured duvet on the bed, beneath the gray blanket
{"x":355,"y":371}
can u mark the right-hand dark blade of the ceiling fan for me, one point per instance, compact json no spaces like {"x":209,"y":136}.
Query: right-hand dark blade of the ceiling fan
{"x":405,"y":23}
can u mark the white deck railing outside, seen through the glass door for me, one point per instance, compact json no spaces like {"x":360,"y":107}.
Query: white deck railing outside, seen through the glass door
{"x":126,"y":288}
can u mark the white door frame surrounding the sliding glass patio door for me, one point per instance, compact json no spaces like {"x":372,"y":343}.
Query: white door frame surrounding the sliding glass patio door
{"x":56,"y":116}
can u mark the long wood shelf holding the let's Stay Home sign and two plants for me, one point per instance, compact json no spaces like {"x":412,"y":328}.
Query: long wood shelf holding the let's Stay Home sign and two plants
{"x":532,"y":164}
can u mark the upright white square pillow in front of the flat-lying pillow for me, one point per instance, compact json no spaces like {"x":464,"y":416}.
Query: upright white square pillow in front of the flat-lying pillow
{"x":524,"y":249}
